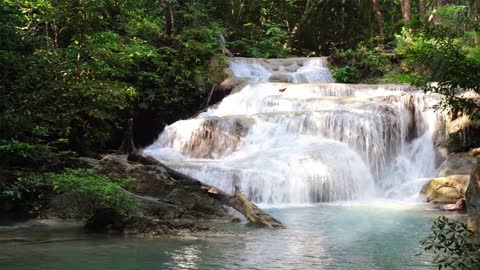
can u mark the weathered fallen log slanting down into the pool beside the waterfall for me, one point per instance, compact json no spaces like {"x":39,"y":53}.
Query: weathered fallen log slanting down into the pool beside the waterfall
{"x":237,"y":201}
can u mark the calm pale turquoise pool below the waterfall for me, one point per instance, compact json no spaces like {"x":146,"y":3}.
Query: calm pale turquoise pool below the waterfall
{"x":380,"y":236}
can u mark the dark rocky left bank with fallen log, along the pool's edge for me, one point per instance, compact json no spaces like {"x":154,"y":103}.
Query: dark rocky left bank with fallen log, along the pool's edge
{"x":169,"y":203}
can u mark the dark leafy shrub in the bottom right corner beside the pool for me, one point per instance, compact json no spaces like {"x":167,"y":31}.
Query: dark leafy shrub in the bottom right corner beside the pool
{"x":453,"y":246}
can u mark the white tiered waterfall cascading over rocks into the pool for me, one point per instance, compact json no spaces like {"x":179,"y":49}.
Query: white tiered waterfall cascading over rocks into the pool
{"x":292,"y":136}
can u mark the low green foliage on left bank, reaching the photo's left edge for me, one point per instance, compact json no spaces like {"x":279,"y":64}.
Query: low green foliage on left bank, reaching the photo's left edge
{"x":78,"y":193}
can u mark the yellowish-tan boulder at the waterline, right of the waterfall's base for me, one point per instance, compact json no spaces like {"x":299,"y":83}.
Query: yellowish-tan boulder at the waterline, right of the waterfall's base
{"x":446,"y":189}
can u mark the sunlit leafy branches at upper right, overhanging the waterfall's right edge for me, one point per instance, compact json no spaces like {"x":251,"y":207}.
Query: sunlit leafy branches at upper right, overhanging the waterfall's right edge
{"x":446,"y":56}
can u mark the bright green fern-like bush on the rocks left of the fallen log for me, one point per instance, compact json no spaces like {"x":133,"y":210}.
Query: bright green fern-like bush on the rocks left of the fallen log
{"x":85,"y":192}
